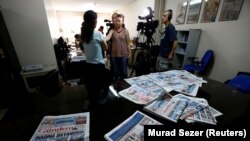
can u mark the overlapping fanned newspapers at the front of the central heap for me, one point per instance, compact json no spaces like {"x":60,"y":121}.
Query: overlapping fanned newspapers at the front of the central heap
{"x":182,"y":107}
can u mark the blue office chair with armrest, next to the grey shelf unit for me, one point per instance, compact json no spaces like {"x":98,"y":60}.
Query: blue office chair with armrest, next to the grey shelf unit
{"x":197,"y":66}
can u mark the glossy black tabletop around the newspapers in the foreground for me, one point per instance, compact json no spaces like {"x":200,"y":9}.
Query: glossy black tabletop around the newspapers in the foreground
{"x":103,"y":118}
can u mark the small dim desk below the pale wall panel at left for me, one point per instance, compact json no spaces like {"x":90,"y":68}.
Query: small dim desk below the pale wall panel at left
{"x":35,"y":74}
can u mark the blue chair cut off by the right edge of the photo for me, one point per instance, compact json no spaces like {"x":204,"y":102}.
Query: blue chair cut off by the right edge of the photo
{"x":241,"y":82}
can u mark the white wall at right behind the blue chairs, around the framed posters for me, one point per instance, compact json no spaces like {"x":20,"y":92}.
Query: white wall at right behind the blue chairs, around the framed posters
{"x":228,"y":39}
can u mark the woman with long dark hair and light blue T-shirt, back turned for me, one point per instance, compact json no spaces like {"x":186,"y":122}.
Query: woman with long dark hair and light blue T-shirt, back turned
{"x":97,"y":77}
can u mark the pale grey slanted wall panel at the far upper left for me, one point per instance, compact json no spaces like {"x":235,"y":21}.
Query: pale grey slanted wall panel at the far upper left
{"x":27,"y":24}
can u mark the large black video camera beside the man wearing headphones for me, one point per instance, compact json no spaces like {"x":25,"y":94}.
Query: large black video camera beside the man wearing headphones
{"x":148,"y":28}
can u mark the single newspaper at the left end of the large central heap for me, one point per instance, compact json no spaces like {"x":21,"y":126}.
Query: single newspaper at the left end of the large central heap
{"x":138,"y":95}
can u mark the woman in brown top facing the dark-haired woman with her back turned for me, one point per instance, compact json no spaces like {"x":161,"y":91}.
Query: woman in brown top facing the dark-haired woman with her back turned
{"x":120,"y":50}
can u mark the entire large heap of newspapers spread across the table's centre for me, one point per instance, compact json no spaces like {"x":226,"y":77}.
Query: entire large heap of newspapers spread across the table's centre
{"x":153,"y":91}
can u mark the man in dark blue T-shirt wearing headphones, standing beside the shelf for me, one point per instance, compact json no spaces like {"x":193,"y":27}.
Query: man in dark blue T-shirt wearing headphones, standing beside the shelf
{"x":168,"y":43}
